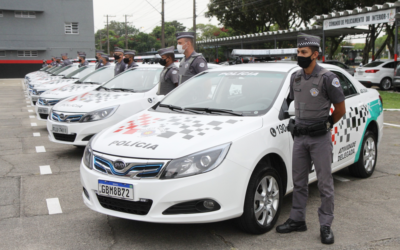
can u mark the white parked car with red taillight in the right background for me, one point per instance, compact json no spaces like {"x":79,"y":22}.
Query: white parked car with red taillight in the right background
{"x":380,"y":73}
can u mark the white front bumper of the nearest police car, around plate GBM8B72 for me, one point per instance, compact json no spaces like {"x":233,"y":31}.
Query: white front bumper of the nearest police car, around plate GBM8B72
{"x":226,"y":185}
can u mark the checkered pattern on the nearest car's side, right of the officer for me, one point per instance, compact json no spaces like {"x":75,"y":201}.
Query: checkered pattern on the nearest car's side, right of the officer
{"x":354,"y":119}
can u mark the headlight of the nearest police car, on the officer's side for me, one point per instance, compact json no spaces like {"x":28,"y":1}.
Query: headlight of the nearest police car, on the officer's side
{"x":196,"y":163}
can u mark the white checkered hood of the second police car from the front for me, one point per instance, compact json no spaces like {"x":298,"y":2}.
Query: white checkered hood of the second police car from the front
{"x":95,"y":100}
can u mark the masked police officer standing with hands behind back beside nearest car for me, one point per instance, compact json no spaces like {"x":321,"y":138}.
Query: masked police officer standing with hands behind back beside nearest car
{"x":313,"y":89}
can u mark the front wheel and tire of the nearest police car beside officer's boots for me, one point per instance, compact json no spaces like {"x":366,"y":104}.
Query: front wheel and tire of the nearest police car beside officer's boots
{"x":263,"y":200}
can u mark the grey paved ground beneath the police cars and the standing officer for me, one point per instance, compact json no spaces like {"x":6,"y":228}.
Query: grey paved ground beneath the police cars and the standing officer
{"x":367,"y":211}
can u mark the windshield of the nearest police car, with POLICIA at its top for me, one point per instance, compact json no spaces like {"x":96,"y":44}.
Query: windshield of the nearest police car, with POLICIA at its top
{"x":248,"y":93}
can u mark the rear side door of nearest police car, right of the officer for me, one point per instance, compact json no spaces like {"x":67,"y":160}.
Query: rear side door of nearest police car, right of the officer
{"x":347,"y":132}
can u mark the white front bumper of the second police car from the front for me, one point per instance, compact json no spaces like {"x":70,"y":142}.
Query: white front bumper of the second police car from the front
{"x":80,"y":130}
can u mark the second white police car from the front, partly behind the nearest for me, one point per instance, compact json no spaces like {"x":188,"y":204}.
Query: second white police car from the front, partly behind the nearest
{"x":76,"y":119}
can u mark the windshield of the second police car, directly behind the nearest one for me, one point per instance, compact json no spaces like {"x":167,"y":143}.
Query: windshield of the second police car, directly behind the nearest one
{"x":139,"y":79}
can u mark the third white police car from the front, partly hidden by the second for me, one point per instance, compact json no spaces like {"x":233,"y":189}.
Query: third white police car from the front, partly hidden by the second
{"x":87,"y":83}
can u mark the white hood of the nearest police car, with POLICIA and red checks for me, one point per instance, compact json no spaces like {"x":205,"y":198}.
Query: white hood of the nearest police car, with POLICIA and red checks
{"x":155,"y":135}
